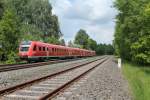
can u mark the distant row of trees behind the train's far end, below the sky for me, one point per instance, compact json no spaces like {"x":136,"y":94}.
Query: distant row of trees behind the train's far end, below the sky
{"x":83,"y":40}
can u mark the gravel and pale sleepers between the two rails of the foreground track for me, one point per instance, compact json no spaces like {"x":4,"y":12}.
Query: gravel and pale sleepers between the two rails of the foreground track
{"x":47,"y":85}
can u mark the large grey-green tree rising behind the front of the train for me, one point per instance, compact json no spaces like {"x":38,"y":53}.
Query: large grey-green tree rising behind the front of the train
{"x":36,"y":18}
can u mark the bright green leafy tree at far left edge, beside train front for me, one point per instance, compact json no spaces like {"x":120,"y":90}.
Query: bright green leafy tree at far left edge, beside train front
{"x":9,"y":33}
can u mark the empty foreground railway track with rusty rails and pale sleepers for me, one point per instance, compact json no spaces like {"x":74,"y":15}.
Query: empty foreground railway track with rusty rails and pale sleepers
{"x":49,"y":86}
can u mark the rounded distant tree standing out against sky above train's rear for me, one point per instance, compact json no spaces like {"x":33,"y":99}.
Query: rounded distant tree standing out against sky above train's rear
{"x":82,"y":38}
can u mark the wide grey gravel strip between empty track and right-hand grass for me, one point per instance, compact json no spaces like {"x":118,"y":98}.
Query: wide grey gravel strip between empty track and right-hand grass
{"x":104,"y":83}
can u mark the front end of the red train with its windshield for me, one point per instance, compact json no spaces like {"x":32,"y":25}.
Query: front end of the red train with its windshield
{"x":24,"y":50}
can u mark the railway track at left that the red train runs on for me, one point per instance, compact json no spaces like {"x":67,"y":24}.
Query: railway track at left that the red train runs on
{"x":10,"y":67}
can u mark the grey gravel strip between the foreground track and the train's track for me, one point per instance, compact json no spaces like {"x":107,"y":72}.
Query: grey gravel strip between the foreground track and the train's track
{"x":11,"y":78}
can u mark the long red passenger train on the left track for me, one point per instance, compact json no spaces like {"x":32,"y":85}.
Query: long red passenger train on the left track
{"x":35,"y":50}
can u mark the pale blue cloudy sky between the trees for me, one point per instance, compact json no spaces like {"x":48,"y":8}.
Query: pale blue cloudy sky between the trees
{"x":97,"y":17}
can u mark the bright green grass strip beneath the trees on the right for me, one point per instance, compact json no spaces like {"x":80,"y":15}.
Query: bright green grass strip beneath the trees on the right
{"x":139,"y":80}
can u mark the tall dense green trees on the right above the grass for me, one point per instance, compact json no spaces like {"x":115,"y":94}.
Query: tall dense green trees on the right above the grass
{"x":132,"y":35}
